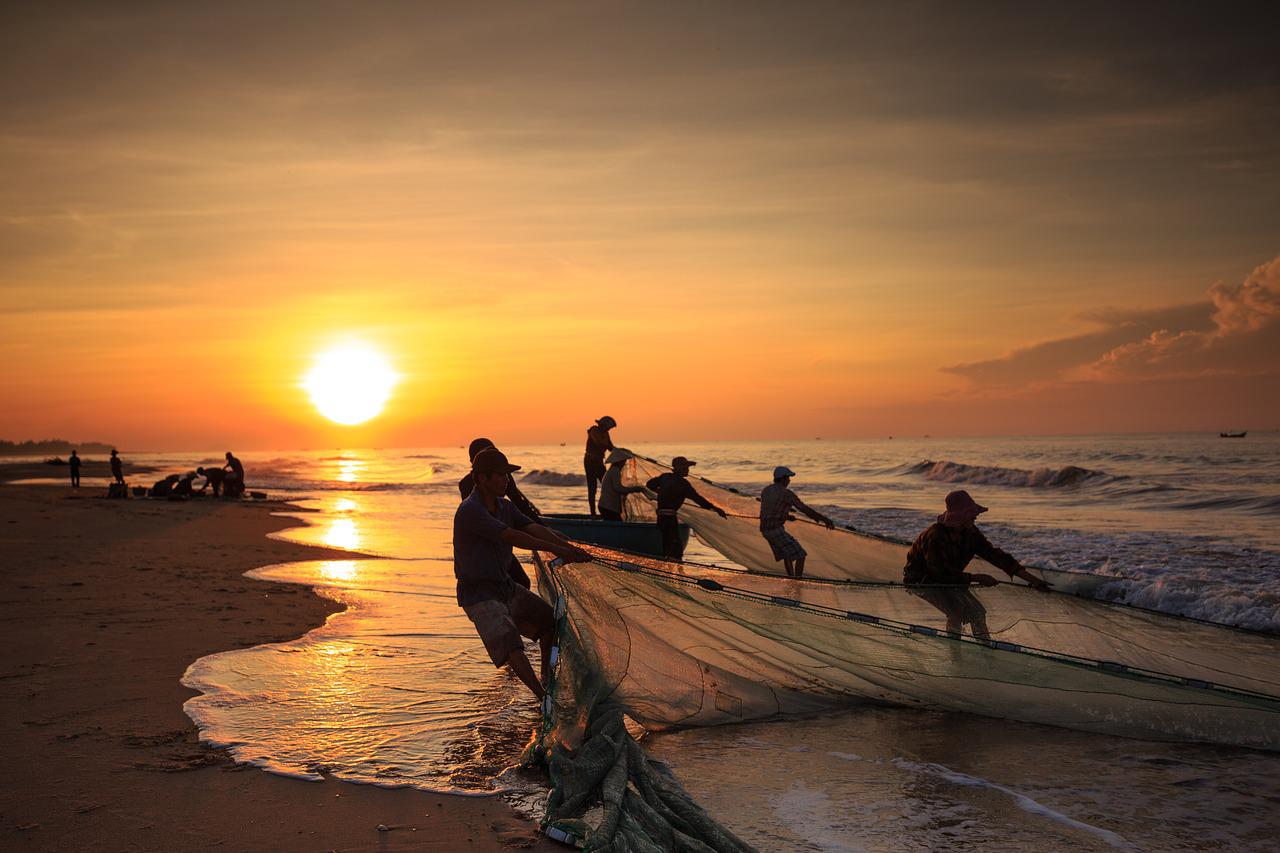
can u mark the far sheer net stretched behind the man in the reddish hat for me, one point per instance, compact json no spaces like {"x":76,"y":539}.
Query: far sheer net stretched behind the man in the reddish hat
{"x":840,"y":554}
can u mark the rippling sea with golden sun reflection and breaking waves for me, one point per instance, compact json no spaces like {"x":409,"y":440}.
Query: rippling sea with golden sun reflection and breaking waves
{"x":396,"y":690}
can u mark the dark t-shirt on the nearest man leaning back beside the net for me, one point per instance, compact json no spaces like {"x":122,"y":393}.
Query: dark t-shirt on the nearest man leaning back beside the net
{"x":482,"y":560}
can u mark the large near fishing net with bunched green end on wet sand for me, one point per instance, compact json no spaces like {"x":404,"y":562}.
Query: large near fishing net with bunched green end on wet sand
{"x":682,"y":645}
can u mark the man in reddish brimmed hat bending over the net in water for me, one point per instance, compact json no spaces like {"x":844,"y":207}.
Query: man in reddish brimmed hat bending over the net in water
{"x":940,"y":556}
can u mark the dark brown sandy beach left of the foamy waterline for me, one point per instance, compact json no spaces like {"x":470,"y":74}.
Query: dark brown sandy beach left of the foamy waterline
{"x":107,"y":604}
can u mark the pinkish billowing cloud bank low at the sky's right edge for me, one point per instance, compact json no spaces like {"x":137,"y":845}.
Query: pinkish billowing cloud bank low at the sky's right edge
{"x":1236,"y":331}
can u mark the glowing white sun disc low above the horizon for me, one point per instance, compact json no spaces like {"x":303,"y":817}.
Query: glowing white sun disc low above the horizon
{"x":351,"y":384}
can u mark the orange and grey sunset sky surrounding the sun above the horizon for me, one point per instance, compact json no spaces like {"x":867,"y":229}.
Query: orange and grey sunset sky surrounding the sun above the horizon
{"x":708,"y":221}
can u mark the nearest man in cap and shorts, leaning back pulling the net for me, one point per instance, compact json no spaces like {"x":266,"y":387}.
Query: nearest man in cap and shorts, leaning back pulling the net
{"x":486,"y":527}
